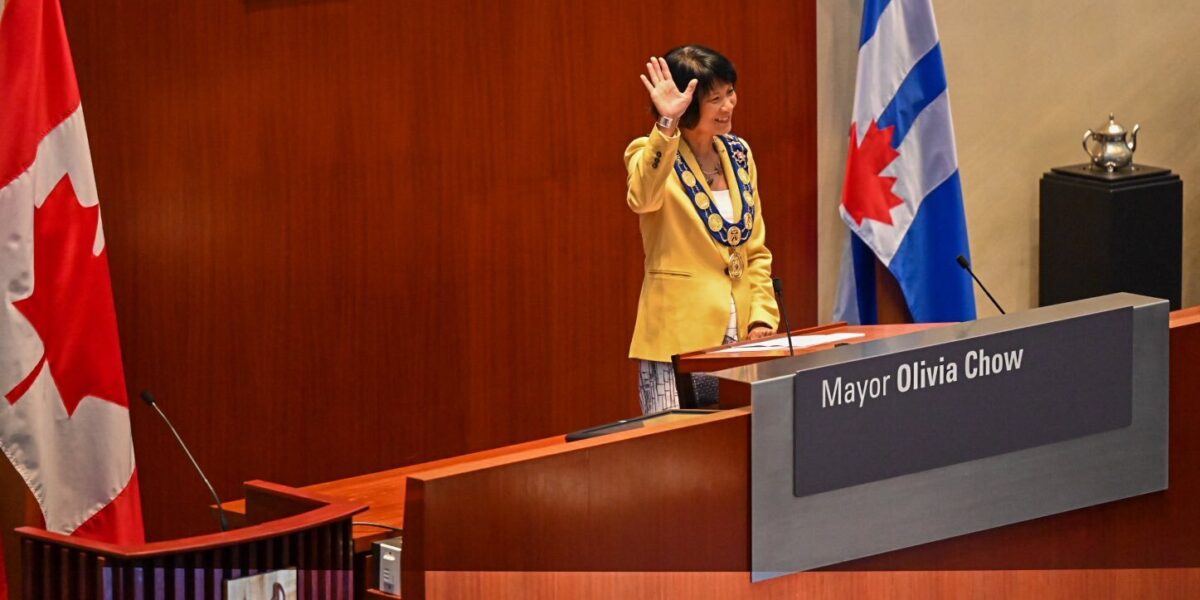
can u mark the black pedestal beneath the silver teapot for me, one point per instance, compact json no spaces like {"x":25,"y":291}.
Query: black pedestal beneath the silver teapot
{"x":1111,"y":232}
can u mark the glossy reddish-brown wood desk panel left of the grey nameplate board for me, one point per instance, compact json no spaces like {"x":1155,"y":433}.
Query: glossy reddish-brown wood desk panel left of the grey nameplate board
{"x":665,"y":499}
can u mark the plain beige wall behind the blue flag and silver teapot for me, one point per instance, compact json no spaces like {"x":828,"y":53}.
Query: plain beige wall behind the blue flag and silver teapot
{"x":1027,"y":80}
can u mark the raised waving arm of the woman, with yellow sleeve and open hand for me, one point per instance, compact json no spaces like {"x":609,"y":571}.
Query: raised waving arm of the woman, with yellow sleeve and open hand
{"x":651,"y":160}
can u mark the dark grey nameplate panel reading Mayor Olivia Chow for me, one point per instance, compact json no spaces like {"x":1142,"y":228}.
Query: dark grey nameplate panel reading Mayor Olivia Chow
{"x":905,"y":413}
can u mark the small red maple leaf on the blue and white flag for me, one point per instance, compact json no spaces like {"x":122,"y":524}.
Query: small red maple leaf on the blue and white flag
{"x":868,"y":195}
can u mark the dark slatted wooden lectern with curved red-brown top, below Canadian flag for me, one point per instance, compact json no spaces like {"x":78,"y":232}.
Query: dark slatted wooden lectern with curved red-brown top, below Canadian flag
{"x":284,"y":529}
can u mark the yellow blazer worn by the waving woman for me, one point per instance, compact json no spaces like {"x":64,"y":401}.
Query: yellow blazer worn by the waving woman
{"x":686,"y":292}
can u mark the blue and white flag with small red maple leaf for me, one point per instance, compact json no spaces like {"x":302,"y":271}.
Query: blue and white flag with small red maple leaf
{"x":903,"y":200}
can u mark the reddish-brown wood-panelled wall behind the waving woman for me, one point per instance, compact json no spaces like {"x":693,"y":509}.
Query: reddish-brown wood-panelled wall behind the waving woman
{"x":350,"y":236}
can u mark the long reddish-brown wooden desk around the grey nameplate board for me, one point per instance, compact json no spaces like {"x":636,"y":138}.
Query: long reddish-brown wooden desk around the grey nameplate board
{"x":663,"y":512}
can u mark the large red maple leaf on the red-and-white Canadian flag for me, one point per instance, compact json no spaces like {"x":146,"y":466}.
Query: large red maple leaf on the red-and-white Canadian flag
{"x":71,"y":307}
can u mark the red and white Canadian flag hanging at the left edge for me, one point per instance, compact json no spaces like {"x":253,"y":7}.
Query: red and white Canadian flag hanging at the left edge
{"x":64,"y":413}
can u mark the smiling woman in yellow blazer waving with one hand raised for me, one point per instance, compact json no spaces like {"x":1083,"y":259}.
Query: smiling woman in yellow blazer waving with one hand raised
{"x":695,"y":189}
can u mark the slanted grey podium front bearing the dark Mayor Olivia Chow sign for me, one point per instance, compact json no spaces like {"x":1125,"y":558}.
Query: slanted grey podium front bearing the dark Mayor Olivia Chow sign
{"x":910,"y":442}
